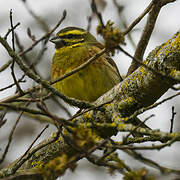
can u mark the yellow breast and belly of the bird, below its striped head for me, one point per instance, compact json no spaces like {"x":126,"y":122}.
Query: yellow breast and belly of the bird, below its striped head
{"x":89,"y":83}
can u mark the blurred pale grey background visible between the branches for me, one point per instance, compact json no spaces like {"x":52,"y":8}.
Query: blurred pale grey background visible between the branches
{"x":78,"y":12}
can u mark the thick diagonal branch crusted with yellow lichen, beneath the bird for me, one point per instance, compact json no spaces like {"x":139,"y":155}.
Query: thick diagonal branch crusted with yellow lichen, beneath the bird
{"x":142,"y":88}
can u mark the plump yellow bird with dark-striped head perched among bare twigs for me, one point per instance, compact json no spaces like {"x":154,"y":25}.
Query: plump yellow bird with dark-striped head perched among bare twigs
{"x":74,"y":46}
